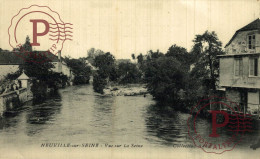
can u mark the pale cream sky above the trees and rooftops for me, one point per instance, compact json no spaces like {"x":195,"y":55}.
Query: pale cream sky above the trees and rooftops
{"x":123,"y":27}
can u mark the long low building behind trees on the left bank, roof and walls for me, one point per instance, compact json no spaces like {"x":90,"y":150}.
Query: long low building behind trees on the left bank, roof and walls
{"x":10,"y":61}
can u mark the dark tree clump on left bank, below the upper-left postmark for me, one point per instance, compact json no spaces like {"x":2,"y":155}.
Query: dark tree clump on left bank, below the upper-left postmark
{"x":40,"y":70}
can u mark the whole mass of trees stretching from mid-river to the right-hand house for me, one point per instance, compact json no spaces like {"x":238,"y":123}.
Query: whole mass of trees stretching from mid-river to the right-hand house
{"x":169,"y":76}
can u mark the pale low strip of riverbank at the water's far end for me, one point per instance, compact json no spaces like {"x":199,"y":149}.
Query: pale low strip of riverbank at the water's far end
{"x":126,"y":90}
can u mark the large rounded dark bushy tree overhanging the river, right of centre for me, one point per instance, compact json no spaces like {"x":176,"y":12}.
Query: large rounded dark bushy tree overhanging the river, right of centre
{"x":164,"y":77}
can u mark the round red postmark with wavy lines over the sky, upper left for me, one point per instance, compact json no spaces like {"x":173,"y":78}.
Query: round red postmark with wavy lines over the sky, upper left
{"x":46,"y":30}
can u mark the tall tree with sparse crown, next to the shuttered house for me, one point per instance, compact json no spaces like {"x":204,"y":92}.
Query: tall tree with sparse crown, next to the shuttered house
{"x":204,"y":53}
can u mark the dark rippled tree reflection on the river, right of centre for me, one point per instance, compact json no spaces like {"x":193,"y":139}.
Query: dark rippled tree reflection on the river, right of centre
{"x":167,"y":126}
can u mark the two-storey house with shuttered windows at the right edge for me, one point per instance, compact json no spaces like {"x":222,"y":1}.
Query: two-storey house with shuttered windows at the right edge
{"x":239,"y":68}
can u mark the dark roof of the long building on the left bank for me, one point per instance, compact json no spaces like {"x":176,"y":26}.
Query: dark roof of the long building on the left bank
{"x":17,"y":58}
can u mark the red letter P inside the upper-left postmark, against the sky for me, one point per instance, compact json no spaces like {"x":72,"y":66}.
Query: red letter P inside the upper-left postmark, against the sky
{"x":35,"y":33}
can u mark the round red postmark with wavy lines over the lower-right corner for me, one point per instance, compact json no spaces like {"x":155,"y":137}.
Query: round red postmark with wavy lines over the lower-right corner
{"x":226,"y":122}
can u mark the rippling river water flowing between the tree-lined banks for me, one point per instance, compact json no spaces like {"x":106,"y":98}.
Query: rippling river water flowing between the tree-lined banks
{"x":78,"y":115}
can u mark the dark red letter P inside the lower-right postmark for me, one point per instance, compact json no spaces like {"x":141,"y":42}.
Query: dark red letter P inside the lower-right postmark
{"x":214,"y":122}
